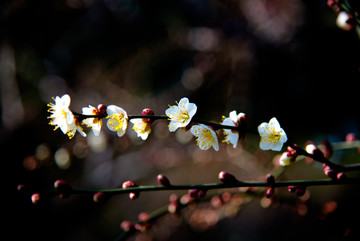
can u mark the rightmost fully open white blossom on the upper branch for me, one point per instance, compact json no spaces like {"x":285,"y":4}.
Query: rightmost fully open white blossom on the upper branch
{"x":272,"y":135}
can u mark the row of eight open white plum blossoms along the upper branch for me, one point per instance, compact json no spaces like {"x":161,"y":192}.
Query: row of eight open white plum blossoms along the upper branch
{"x":272,"y":136}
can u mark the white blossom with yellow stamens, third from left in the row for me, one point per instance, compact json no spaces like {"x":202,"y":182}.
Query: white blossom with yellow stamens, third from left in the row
{"x":117,"y":119}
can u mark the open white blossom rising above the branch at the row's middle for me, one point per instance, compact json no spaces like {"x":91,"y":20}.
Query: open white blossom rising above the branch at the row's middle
{"x":180,"y":115}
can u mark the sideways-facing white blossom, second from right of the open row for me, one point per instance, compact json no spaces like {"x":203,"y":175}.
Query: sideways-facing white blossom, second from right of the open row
{"x":234,"y":119}
